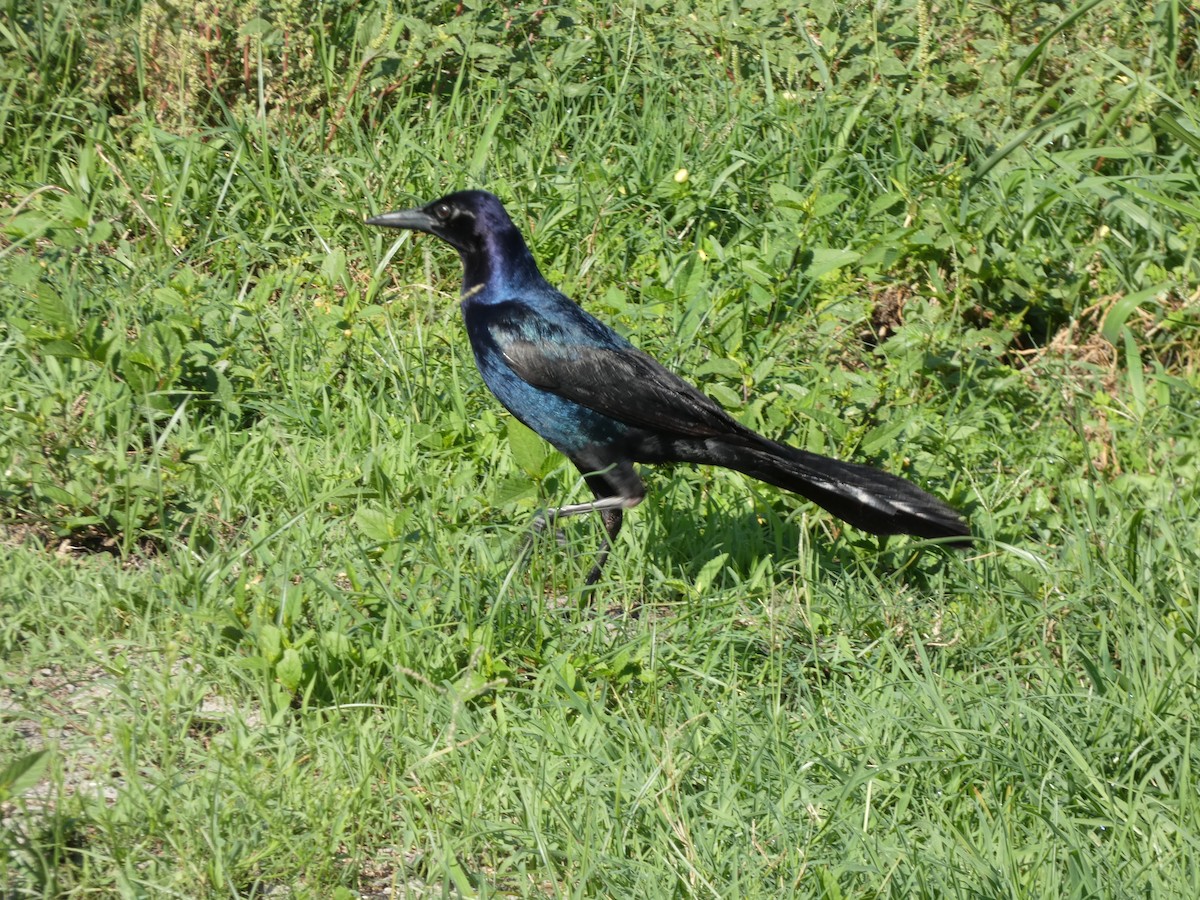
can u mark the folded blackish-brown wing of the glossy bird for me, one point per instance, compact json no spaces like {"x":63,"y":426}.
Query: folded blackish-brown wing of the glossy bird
{"x":586,"y":363}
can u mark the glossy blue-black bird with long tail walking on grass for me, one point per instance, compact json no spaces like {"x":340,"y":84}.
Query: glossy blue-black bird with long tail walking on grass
{"x":607,"y":405}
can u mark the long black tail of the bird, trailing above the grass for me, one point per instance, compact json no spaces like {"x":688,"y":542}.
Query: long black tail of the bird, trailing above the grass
{"x":860,"y":495}
